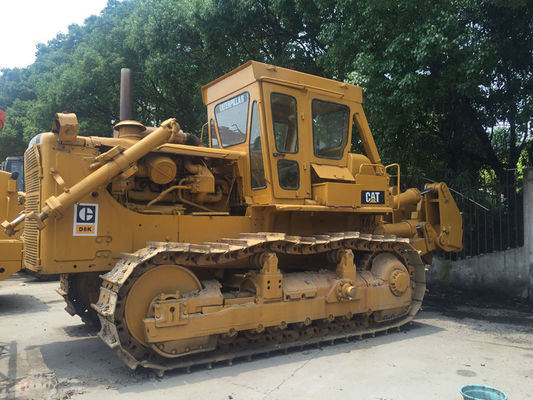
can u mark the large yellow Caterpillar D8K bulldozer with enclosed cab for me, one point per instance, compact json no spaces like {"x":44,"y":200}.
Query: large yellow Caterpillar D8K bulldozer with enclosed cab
{"x":272,"y":236}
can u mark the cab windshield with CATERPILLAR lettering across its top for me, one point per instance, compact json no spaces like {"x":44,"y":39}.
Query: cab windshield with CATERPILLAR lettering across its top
{"x":231,"y":118}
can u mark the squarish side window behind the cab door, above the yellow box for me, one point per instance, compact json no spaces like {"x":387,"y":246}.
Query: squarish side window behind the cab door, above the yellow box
{"x":330,"y":128}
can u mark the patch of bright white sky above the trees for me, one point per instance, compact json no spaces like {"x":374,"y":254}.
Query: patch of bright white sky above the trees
{"x":24,"y":23}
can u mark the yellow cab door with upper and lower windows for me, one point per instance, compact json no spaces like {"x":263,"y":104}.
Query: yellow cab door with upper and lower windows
{"x":284,"y":112}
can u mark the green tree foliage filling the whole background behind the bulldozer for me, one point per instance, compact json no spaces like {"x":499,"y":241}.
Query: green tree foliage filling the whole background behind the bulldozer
{"x":438,"y":75}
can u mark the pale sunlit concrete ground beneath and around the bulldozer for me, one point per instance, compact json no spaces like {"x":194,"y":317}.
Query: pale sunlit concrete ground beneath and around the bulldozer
{"x":47,"y":354}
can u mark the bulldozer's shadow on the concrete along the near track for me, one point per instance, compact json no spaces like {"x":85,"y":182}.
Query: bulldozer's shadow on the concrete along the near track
{"x":88,"y":362}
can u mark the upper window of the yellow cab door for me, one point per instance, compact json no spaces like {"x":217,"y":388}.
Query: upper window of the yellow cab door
{"x":285,"y":122}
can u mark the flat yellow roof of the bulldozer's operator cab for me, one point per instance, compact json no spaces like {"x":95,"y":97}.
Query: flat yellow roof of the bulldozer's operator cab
{"x":254,"y":71}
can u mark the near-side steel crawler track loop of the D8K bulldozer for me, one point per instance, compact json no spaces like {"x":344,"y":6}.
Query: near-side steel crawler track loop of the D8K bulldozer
{"x":117,"y":282}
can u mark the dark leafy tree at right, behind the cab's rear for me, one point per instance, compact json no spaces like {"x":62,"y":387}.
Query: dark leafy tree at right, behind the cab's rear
{"x":438,"y":77}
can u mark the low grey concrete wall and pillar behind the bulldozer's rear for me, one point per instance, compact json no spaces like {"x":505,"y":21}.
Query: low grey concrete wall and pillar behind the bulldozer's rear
{"x":508,"y":272}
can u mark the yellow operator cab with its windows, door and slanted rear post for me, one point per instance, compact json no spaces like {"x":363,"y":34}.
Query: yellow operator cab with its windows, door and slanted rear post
{"x":296,"y":130}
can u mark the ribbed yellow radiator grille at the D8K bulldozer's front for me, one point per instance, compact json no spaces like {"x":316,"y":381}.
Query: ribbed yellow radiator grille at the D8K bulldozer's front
{"x":32,"y":172}
